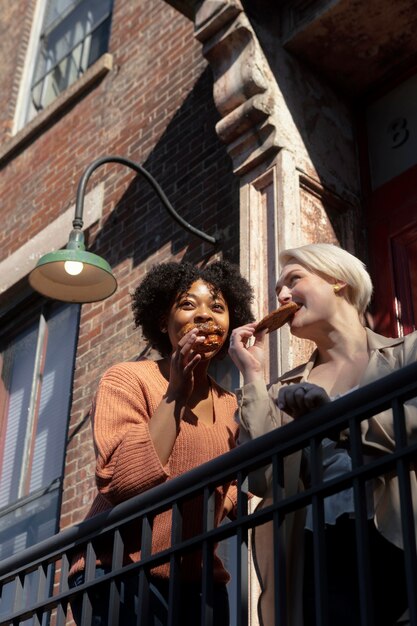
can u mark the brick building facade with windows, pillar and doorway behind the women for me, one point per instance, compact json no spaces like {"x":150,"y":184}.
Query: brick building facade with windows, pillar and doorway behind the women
{"x":268,"y":125}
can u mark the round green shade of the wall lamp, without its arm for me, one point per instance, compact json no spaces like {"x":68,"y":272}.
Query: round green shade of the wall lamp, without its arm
{"x":94,"y":282}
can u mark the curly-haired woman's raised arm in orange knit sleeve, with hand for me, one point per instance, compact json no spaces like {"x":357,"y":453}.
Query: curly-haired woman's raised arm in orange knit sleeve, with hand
{"x":133,"y":435}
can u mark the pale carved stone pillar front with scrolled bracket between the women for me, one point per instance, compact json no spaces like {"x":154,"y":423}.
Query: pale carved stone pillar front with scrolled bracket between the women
{"x":250,"y":104}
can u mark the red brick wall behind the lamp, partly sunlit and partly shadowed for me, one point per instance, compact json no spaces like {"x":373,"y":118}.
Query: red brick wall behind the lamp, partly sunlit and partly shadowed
{"x":156,"y":108}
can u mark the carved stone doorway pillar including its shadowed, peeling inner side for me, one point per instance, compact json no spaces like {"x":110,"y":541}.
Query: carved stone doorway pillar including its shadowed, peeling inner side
{"x":291,"y":141}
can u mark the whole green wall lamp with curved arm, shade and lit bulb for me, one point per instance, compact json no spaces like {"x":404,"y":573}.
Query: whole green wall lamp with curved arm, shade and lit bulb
{"x":75,"y":275}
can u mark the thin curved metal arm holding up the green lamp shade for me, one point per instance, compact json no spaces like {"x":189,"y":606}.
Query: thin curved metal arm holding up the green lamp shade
{"x":79,"y":206}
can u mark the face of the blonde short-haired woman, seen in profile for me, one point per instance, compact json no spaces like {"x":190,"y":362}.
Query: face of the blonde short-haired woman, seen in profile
{"x":314,"y":294}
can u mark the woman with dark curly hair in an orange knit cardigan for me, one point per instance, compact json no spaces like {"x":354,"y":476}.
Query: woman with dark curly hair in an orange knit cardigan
{"x":155,"y":420}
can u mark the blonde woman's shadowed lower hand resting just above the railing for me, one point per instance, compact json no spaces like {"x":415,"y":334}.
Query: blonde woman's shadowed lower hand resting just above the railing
{"x":301,"y":398}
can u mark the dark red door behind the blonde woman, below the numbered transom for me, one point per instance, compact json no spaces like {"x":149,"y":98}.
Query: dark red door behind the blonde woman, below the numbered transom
{"x":392,"y":228}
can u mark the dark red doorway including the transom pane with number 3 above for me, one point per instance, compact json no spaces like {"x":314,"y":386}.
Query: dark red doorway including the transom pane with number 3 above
{"x":391,"y":171}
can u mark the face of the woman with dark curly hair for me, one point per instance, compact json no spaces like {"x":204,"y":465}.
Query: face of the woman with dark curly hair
{"x":196,"y":305}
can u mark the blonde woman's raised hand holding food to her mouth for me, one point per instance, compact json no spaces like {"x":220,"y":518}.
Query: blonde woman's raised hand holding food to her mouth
{"x":249,"y":359}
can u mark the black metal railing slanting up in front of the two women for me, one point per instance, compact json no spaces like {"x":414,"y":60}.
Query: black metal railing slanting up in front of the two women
{"x":38,"y":576}
